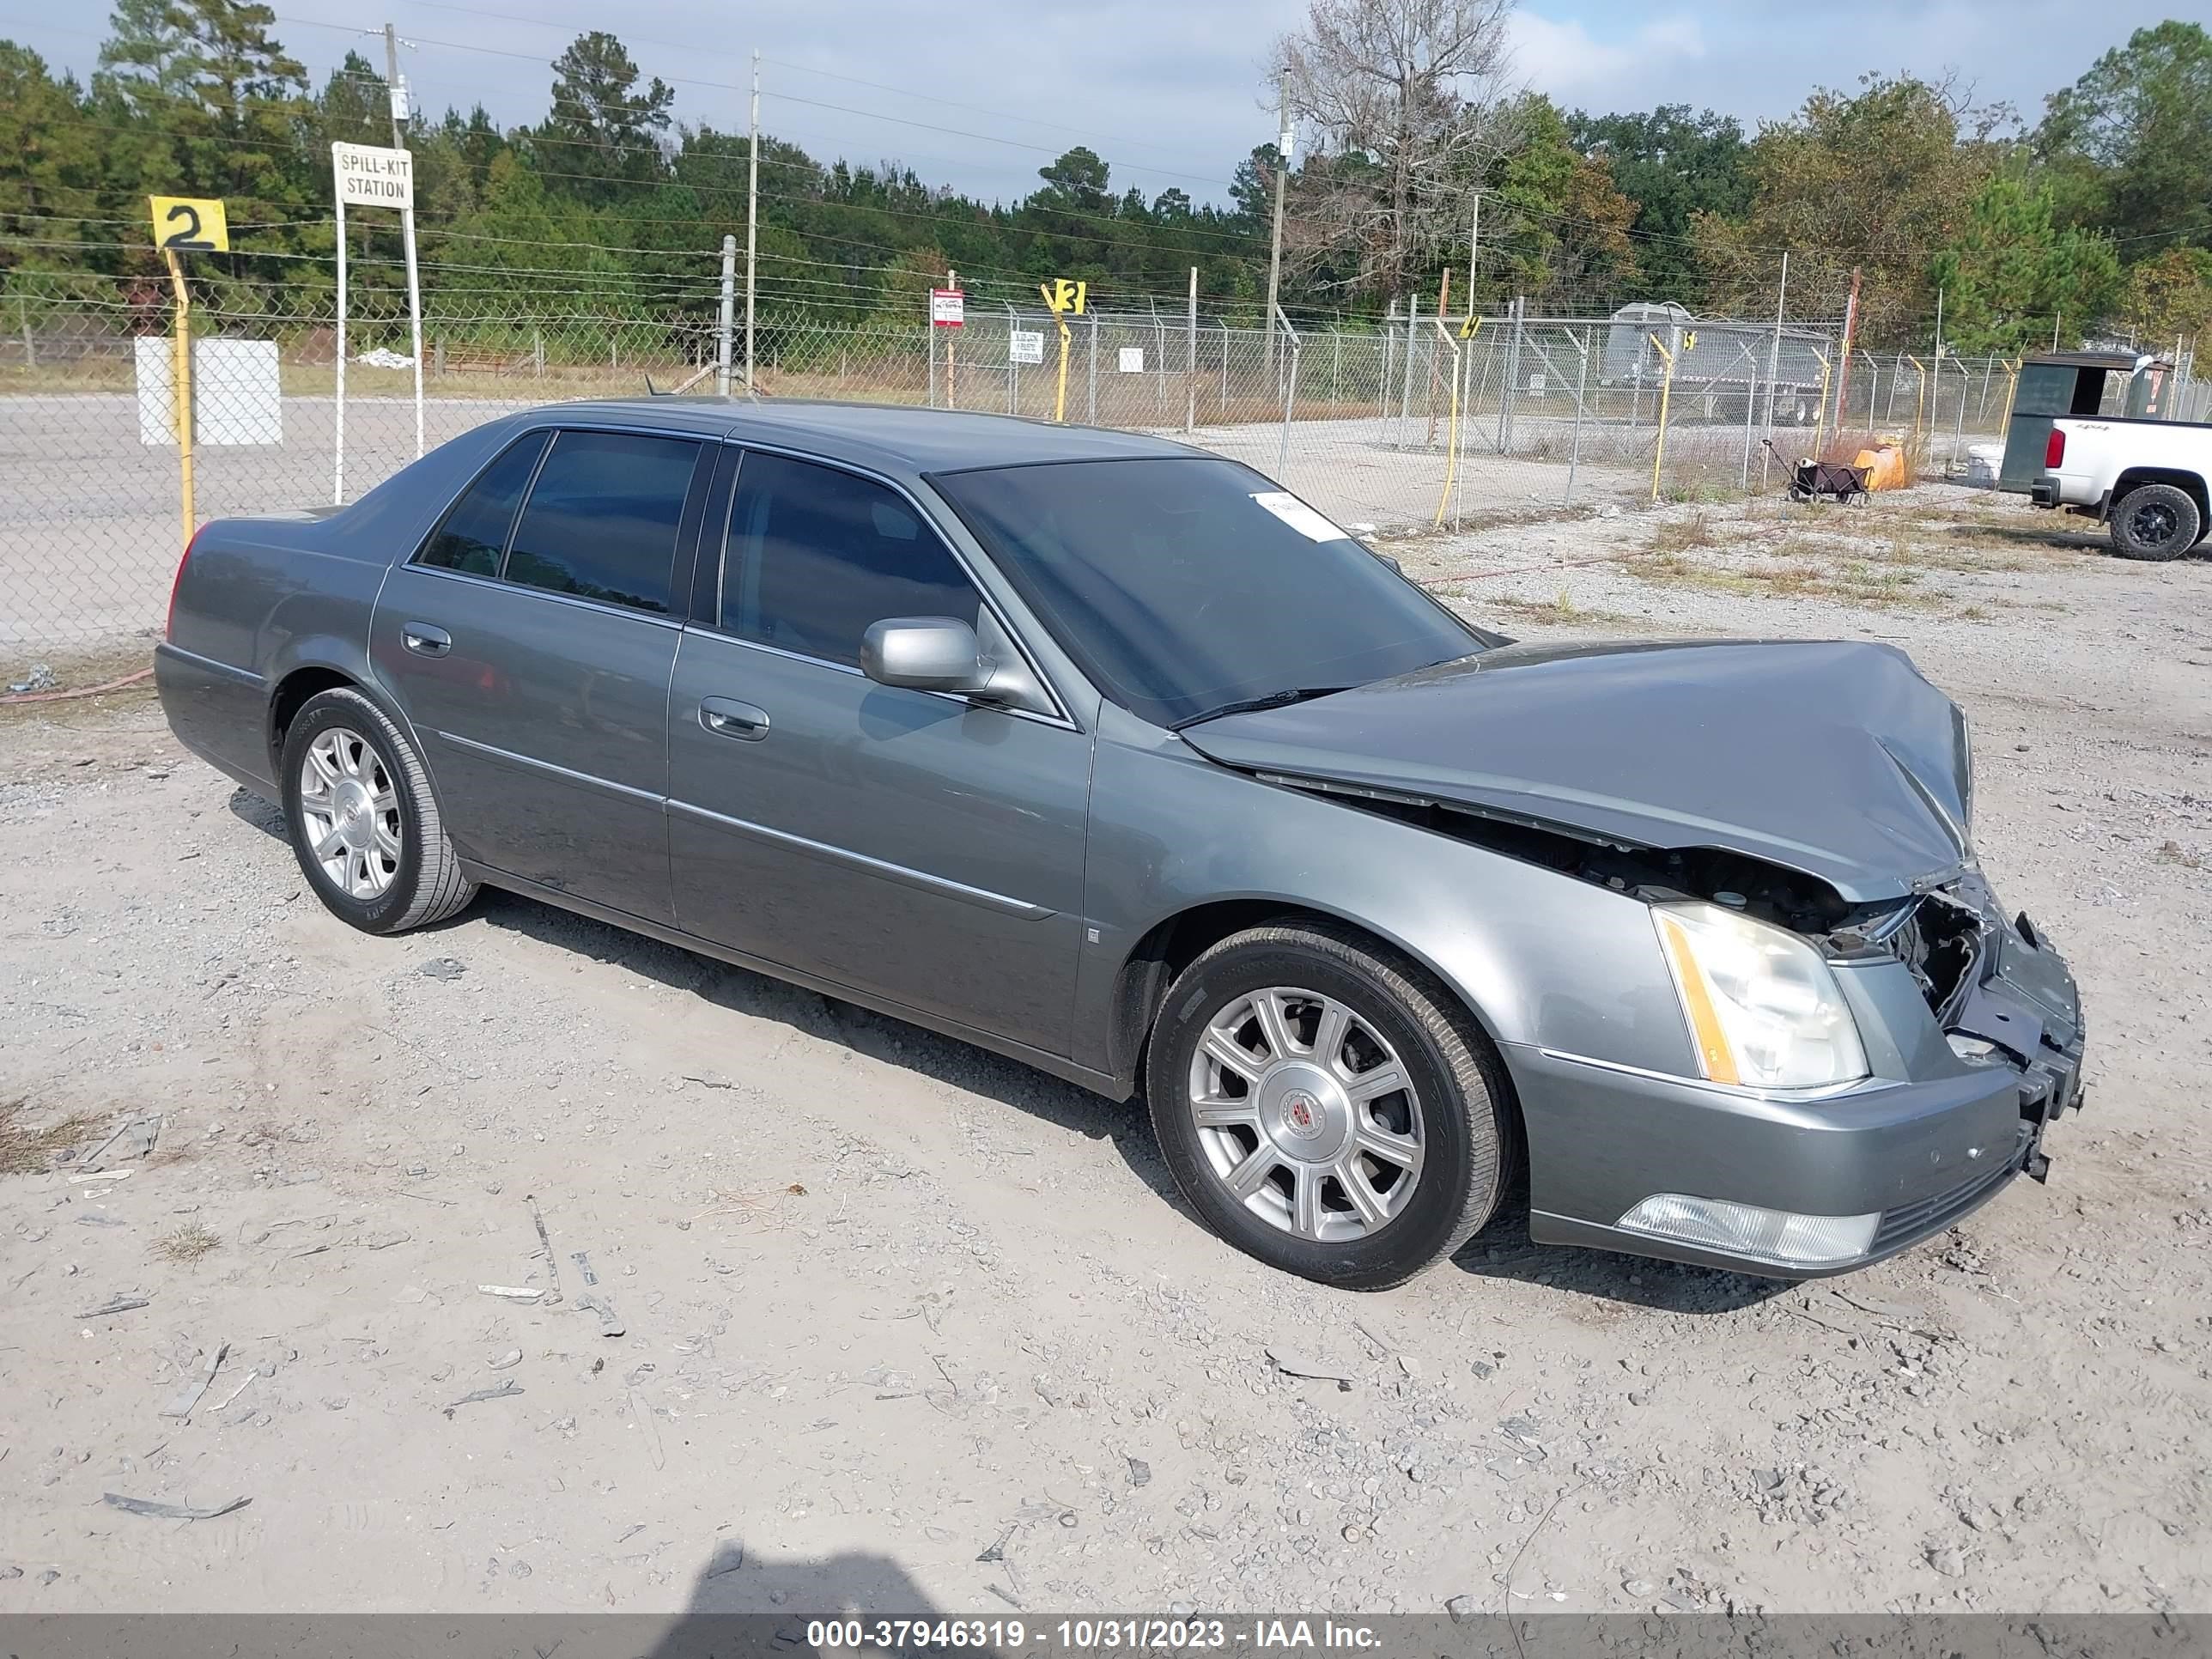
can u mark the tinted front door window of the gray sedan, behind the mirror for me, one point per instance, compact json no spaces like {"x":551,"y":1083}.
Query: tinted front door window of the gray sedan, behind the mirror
{"x":817,"y":556}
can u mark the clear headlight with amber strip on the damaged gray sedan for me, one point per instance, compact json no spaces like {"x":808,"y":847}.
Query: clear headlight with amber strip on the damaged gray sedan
{"x":1764,"y":1008}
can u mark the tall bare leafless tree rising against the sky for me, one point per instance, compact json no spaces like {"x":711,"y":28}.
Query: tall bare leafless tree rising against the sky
{"x":1408,"y":101}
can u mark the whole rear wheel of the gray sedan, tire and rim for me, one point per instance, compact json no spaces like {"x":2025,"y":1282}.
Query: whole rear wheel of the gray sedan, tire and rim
{"x":397,"y":870}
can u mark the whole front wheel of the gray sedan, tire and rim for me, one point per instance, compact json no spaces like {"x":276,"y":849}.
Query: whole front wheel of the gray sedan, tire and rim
{"x":1450,"y":1138}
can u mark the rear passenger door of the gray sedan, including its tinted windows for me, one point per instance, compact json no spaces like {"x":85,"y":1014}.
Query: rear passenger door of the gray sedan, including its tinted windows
{"x":530,"y":645}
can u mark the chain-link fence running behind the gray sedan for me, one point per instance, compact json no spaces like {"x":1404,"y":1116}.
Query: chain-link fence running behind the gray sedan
{"x":1388,"y":428}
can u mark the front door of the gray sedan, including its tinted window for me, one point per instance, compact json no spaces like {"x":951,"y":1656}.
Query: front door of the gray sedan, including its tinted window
{"x":895,"y":842}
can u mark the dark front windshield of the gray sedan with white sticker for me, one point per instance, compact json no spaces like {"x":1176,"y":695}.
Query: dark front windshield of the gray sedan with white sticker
{"x":1191,"y":585}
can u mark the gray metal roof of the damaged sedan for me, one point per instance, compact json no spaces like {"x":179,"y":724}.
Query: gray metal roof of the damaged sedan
{"x":888,"y":437}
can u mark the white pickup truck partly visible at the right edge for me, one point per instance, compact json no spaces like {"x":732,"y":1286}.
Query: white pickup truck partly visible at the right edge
{"x":2147,"y":479}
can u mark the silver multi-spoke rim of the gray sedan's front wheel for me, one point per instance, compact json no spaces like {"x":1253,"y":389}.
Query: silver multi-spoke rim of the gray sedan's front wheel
{"x":1306,"y":1116}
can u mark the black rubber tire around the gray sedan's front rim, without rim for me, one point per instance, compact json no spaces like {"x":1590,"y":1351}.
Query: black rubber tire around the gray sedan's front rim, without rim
{"x":1406,"y":1244}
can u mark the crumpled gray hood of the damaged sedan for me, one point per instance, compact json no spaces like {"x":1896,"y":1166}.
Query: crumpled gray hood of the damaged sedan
{"x":1828,"y":758}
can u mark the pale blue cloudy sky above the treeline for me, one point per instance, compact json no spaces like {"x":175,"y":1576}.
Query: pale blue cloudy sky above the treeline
{"x":1169,"y":92}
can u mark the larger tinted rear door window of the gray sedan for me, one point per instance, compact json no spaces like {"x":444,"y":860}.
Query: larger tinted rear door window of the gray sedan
{"x":603,"y":519}
